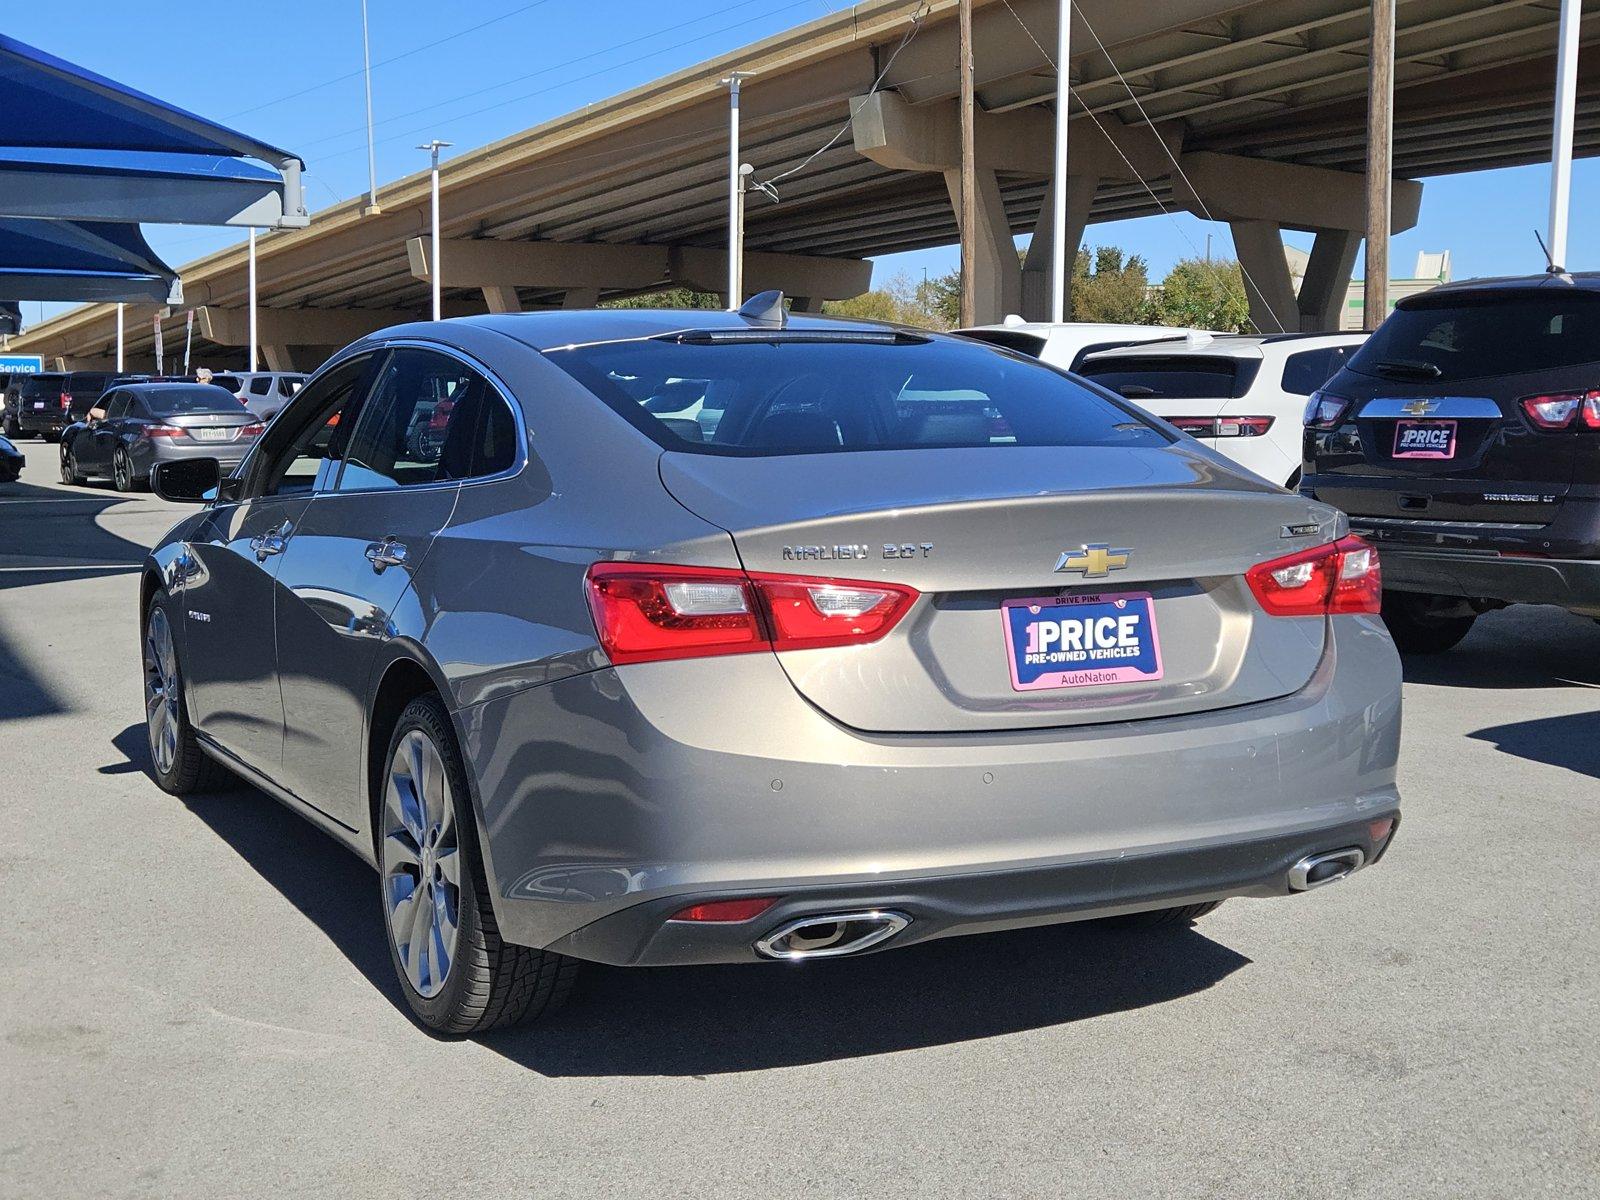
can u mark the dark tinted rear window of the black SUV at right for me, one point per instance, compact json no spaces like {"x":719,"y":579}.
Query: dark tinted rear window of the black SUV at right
{"x":1489,"y":334}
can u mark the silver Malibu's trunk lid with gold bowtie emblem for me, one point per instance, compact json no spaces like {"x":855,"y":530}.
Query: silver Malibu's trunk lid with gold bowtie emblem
{"x":982,"y":534}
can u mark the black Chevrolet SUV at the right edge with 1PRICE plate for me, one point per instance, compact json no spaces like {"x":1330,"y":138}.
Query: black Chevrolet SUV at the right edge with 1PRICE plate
{"x":1465,"y":439}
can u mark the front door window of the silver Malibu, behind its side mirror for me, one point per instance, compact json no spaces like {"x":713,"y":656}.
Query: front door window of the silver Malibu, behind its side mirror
{"x":305,"y":446}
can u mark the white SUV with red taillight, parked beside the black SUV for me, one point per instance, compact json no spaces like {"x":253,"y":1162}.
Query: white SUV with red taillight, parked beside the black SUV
{"x":1242,"y":396}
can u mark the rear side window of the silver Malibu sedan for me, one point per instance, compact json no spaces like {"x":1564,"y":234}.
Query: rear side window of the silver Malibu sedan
{"x":418,"y":426}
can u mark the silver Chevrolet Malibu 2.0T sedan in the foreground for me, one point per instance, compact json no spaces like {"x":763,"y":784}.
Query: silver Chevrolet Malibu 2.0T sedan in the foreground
{"x":684,"y":638}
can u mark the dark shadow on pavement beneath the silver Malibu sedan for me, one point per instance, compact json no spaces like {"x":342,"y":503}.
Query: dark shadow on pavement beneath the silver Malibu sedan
{"x":718,"y":1020}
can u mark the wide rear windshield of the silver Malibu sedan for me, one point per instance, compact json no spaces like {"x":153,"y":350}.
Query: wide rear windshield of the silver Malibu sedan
{"x":809,"y":398}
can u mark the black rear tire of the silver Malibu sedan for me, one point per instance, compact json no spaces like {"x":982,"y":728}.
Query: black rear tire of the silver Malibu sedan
{"x":490,"y":983}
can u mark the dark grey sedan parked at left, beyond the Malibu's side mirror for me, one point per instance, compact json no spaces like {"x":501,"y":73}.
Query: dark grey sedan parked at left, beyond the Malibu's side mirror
{"x":145,"y":425}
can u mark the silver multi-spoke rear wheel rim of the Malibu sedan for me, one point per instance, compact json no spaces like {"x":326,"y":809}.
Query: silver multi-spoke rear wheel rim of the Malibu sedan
{"x":422,"y":862}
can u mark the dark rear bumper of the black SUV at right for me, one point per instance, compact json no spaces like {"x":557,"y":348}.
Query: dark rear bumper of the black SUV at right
{"x":1570,"y":583}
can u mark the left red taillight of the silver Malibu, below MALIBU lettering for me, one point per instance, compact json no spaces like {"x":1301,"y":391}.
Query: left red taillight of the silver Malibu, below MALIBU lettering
{"x":646,"y":614}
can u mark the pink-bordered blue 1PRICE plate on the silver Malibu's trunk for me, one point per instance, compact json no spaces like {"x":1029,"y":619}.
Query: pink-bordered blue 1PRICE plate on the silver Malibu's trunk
{"x":1070,"y":663}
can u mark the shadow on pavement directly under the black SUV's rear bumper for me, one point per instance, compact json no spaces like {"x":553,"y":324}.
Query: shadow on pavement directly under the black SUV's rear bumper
{"x":1524,"y":647}
